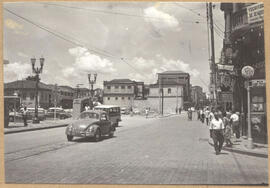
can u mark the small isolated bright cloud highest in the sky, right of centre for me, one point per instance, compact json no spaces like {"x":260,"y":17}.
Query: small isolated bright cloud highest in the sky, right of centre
{"x":159,"y":19}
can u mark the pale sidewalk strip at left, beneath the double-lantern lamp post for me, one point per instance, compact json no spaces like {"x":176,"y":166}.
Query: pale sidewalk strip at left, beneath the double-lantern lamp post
{"x":47,"y":124}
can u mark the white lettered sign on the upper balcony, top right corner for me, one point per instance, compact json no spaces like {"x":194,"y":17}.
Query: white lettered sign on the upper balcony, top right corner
{"x":255,"y":13}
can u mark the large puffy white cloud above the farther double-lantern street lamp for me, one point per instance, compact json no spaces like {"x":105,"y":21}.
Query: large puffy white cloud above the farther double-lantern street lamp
{"x":86,"y":62}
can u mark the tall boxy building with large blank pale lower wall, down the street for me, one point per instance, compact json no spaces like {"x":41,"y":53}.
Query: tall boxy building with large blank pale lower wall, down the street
{"x":170,"y":92}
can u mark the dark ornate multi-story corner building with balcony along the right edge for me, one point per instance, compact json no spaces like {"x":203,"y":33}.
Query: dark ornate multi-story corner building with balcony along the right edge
{"x":244,"y":46}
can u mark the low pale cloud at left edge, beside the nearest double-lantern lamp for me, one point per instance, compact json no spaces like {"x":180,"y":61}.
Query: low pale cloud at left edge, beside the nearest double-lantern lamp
{"x":16,"y":70}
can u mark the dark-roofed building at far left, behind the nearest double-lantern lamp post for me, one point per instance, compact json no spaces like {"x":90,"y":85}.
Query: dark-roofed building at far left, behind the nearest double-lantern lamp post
{"x":26,"y":91}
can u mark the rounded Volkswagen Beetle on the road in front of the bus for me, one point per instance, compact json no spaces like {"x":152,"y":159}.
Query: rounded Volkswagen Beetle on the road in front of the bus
{"x":91,"y":124}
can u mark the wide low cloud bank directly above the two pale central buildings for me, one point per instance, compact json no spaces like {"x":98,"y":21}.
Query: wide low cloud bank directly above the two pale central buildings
{"x":149,"y":68}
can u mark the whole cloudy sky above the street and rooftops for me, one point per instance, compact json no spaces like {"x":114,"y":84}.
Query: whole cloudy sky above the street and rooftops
{"x":133,"y":40}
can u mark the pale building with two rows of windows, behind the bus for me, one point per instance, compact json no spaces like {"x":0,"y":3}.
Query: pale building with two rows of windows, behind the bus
{"x":121,"y":92}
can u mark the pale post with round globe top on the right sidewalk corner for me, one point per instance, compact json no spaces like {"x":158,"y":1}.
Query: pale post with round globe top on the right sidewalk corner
{"x":248,"y":72}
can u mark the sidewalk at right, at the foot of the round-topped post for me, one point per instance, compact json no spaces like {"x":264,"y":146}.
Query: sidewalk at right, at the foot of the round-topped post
{"x":240,"y":146}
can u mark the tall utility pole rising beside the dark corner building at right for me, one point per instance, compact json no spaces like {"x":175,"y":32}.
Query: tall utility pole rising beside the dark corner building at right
{"x":213,"y":65}
